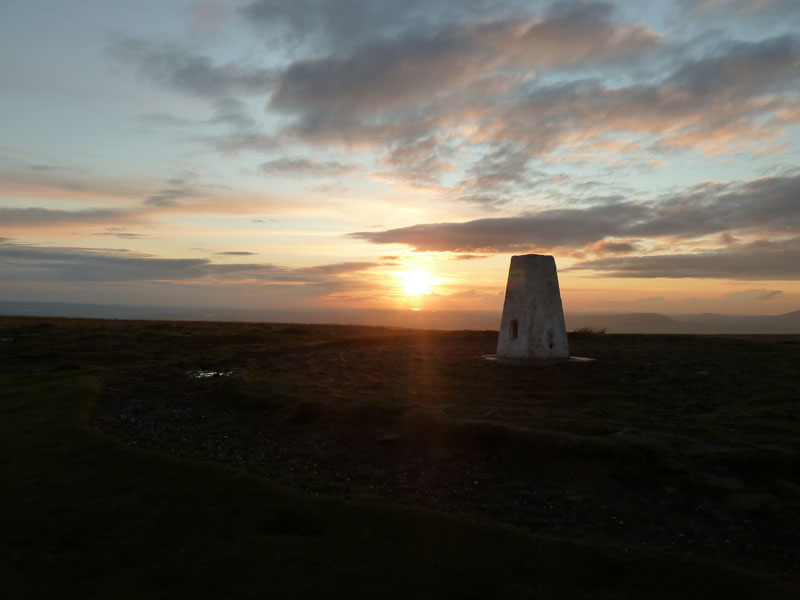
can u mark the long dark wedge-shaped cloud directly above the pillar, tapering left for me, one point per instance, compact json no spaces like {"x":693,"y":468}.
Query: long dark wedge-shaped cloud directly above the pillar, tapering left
{"x":767,"y":205}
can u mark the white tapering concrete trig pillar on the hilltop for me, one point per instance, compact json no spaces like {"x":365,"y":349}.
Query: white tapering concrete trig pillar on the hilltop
{"x":533,"y":326}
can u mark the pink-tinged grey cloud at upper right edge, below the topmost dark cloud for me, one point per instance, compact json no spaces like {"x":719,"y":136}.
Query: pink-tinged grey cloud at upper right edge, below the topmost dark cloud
{"x":721,"y":94}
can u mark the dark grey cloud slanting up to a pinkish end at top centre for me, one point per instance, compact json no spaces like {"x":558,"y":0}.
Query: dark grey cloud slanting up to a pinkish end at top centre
{"x":415,"y":67}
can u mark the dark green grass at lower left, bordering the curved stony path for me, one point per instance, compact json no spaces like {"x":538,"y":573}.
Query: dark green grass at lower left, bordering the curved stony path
{"x":83,"y":515}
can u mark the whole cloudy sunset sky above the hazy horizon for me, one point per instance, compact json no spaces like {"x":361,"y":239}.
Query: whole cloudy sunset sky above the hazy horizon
{"x":378,"y":154}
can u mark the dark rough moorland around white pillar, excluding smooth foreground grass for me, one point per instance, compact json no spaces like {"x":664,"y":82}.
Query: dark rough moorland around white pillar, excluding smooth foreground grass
{"x":683,"y":446}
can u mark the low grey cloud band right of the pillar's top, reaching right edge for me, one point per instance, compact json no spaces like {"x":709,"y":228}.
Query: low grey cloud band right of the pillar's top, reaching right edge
{"x":759,"y":261}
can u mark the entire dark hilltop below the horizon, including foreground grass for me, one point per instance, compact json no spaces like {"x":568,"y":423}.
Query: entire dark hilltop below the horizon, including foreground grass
{"x":668,"y":467}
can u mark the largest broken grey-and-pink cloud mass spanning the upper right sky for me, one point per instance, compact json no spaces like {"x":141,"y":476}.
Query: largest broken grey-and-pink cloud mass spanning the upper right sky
{"x":531,"y":86}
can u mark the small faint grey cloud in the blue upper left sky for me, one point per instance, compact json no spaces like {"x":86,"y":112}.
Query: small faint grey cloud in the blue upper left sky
{"x":176,"y":67}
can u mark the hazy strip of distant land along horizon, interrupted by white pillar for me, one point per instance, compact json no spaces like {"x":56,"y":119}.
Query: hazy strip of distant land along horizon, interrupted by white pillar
{"x":706,"y":323}
